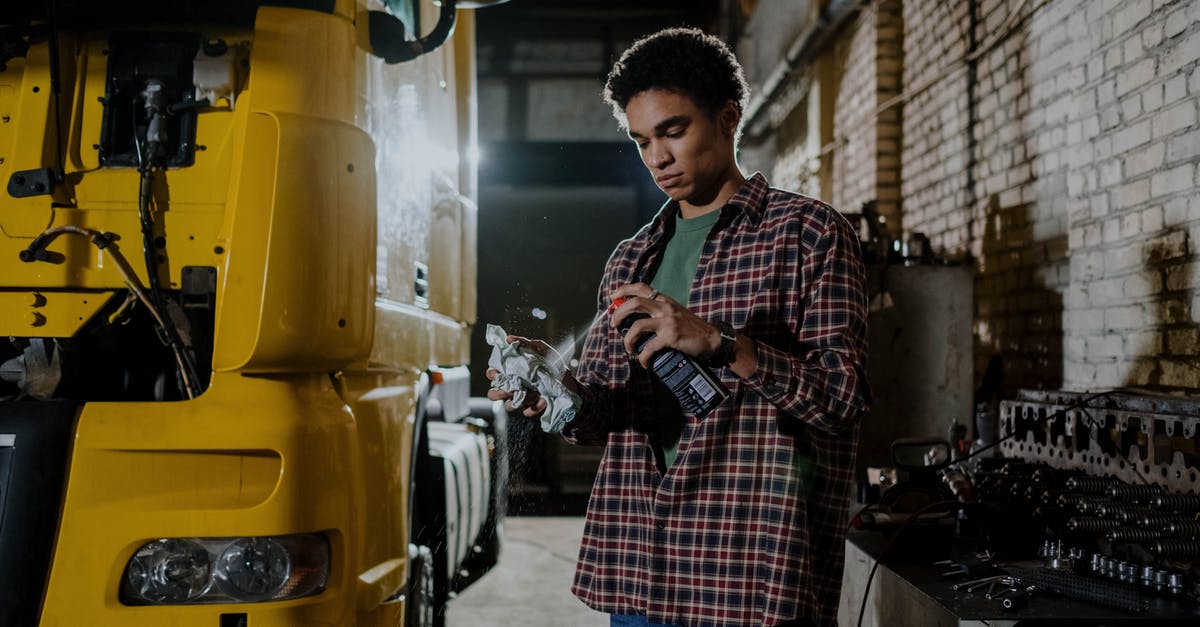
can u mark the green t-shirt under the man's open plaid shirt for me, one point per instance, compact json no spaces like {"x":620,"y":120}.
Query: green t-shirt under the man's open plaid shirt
{"x":674,"y":279}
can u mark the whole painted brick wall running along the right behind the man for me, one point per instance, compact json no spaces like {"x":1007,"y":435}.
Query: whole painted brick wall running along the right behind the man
{"x":1065,"y":168}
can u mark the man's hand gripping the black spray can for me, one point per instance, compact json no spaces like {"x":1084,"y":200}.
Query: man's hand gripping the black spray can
{"x":673,"y":324}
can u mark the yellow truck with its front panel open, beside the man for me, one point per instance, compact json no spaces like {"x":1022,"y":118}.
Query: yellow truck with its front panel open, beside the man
{"x":236,"y":300}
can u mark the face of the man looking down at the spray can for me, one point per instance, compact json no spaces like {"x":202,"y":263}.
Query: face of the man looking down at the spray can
{"x":688,"y":153}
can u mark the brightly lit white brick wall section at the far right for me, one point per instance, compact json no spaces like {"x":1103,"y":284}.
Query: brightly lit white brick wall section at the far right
{"x":1133,"y":205}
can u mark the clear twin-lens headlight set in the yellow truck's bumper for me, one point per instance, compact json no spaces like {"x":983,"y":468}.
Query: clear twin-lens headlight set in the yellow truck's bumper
{"x":250,"y":570}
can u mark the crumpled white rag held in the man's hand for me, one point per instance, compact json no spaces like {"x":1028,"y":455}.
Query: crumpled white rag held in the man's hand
{"x":523,"y":371}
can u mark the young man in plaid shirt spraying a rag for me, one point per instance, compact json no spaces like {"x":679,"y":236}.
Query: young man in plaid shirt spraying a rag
{"x":737,"y":518}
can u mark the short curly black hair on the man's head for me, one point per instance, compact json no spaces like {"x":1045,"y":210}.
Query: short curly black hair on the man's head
{"x":688,"y":62}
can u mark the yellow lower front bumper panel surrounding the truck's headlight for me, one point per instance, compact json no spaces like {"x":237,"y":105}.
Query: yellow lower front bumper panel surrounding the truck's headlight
{"x":253,"y":457}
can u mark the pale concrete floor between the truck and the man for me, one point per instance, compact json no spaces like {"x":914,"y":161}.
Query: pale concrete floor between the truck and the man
{"x":532,"y":586}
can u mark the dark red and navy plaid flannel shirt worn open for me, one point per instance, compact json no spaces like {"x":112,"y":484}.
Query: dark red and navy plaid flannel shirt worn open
{"x":748,"y":526}
